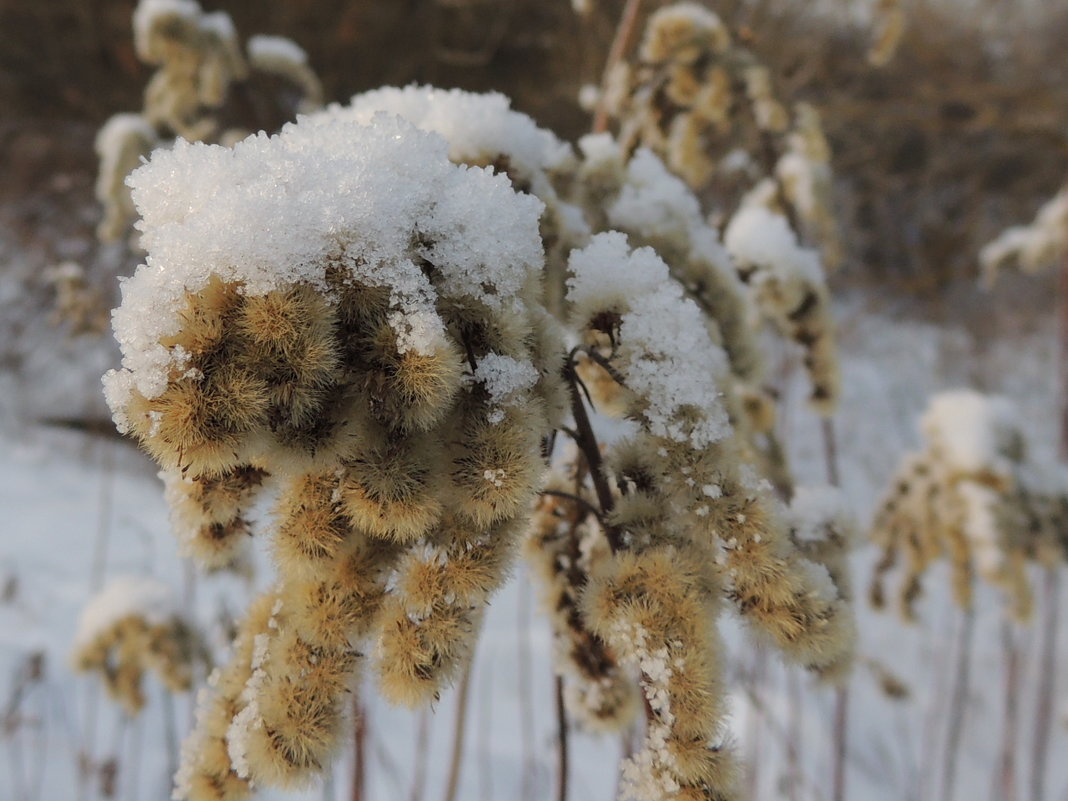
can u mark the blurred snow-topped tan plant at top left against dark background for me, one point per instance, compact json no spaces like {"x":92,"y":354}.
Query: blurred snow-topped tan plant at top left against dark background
{"x":200,"y":68}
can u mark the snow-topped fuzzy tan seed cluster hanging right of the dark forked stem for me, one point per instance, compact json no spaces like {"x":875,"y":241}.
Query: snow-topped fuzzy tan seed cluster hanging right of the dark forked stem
{"x":694,"y":529}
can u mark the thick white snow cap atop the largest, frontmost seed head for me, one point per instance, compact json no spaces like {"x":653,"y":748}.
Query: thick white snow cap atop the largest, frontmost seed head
{"x":275,"y":212}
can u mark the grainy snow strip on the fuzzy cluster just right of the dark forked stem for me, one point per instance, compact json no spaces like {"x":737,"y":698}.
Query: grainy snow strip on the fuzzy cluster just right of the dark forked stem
{"x":667,"y":356}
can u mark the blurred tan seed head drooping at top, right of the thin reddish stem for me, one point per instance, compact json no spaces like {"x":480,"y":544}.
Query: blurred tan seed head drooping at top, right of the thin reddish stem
{"x":708,"y":107}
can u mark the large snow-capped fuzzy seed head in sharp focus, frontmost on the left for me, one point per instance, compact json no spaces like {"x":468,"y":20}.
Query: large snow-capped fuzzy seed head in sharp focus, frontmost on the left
{"x":327,"y":307}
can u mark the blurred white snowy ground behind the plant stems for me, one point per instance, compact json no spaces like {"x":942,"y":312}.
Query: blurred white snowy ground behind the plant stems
{"x":82,"y":508}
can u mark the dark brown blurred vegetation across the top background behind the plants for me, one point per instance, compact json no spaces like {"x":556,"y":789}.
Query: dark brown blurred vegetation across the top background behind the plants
{"x":961,"y":136}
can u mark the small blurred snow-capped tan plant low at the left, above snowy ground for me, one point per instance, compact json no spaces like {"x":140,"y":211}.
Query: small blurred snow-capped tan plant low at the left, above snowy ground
{"x":133,"y":627}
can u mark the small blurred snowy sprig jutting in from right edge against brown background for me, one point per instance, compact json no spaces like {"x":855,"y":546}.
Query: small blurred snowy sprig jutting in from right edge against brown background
{"x":1033,"y":247}
